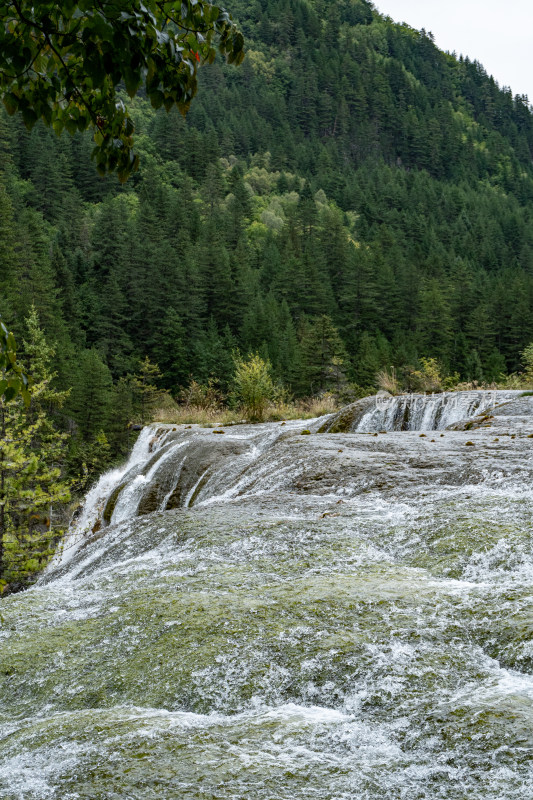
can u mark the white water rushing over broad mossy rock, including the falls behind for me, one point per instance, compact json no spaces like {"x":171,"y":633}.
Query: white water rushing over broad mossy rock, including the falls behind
{"x":268,"y":614}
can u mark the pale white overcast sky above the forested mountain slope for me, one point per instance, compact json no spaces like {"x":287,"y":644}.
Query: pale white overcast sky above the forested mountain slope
{"x":497,"y":34}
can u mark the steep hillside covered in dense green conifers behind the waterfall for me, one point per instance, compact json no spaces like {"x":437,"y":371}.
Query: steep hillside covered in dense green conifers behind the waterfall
{"x":349,"y":198}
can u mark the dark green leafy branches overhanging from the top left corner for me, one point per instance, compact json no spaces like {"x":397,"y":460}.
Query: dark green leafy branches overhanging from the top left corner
{"x":64,"y":63}
